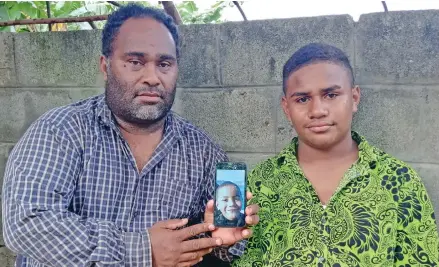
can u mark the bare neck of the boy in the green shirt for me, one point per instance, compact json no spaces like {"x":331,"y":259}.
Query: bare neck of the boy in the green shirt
{"x":347,"y":147}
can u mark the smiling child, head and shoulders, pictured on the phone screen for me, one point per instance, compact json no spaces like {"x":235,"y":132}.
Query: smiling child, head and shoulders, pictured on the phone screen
{"x":228,"y":205}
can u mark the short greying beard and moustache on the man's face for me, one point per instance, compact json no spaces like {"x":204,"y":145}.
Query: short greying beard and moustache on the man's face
{"x":120,"y":98}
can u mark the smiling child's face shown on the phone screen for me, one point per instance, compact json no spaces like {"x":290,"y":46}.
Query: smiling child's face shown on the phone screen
{"x":228,"y":201}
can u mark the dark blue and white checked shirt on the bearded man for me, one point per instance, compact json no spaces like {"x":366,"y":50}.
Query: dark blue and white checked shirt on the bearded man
{"x":72,"y":195}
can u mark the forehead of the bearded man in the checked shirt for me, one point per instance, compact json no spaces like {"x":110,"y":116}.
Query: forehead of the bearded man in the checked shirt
{"x":144,"y":35}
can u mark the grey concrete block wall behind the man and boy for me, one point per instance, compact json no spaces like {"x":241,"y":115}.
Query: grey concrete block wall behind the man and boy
{"x":230,"y":82}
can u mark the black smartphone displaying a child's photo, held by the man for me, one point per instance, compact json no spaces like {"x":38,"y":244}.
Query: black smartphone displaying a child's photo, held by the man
{"x":230,"y":194}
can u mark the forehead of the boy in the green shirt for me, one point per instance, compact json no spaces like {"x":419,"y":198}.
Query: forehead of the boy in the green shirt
{"x":319,"y":75}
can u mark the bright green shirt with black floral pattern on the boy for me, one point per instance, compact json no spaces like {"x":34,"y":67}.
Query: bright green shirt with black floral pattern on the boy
{"x":380,"y":215}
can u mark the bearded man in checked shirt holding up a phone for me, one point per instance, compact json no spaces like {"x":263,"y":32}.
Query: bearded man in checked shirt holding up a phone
{"x":118,"y":179}
